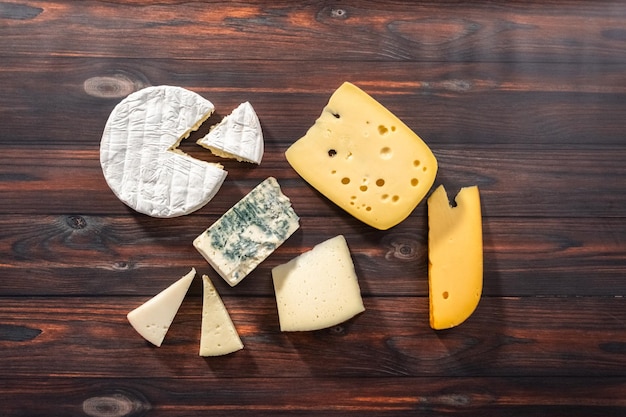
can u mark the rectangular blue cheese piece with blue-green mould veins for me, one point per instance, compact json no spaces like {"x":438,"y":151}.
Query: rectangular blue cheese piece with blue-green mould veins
{"x":248,"y":232}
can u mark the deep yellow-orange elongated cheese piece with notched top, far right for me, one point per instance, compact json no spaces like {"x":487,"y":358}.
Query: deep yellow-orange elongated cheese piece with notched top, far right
{"x":455,"y":256}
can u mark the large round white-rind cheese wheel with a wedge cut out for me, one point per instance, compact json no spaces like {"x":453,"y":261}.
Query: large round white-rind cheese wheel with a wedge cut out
{"x":140,"y":159}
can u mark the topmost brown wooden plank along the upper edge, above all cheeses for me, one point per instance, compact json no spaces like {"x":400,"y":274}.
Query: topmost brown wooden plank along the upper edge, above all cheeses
{"x":452,"y":31}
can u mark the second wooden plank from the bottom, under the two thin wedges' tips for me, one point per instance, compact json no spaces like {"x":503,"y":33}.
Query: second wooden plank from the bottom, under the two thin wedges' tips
{"x":513,"y":336}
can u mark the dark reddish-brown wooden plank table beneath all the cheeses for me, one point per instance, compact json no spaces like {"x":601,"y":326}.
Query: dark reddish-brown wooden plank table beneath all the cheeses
{"x":525,"y":99}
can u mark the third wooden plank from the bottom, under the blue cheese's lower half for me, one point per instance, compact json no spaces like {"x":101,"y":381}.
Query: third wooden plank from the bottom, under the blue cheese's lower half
{"x":522,"y":256}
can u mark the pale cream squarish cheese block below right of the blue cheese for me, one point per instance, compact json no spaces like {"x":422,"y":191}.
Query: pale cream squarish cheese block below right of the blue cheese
{"x":317,"y":289}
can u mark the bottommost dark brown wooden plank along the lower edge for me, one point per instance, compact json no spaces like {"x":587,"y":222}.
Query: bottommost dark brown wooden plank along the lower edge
{"x":521,"y":396}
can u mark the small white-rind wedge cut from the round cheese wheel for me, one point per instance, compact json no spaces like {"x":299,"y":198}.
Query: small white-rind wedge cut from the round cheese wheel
{"x":237,"y":136}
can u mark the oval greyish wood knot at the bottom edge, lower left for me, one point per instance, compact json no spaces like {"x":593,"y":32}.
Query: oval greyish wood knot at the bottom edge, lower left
{"x":117,"y":404}
